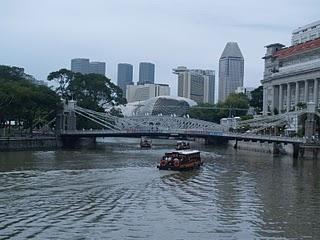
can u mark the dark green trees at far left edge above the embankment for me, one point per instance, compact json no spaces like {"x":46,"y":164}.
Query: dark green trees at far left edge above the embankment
{"x":22,"y":101}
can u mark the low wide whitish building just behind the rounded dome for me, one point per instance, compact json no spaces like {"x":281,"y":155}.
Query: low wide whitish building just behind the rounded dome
{"x":146,"y":91}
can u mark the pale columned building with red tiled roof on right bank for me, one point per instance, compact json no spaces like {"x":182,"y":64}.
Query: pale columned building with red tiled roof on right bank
{"x":291,"y":76}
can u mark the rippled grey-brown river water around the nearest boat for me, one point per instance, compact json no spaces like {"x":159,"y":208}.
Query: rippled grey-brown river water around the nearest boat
{"x":115,"y":191}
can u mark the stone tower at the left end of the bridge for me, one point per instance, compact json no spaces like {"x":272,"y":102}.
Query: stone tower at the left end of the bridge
{"x":66,"y":117}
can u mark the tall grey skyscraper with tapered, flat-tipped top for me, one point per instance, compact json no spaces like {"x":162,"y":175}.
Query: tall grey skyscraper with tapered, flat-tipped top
{"x":231,"y":70}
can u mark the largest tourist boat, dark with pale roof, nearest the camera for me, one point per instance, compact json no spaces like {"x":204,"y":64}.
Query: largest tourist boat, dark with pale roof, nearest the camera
{"x":180,"y":160}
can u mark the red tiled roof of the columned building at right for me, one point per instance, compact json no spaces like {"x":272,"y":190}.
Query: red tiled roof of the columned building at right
{"x":298,"y":49}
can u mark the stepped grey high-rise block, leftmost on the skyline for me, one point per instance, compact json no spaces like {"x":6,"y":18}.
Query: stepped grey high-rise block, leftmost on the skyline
{"x":84,"y":66}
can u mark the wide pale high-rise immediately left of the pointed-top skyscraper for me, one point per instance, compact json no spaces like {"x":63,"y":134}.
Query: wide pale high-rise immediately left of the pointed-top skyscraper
{"x":196,"y":84}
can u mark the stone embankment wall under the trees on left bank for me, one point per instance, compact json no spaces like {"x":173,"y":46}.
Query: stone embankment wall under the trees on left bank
{"x":29,"y":143}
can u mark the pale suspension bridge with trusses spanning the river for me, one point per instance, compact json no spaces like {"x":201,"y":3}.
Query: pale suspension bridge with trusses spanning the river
{"x":167,"y":126}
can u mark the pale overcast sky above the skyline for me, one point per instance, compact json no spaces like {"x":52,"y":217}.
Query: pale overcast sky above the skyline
{"x":44,"y":35}
